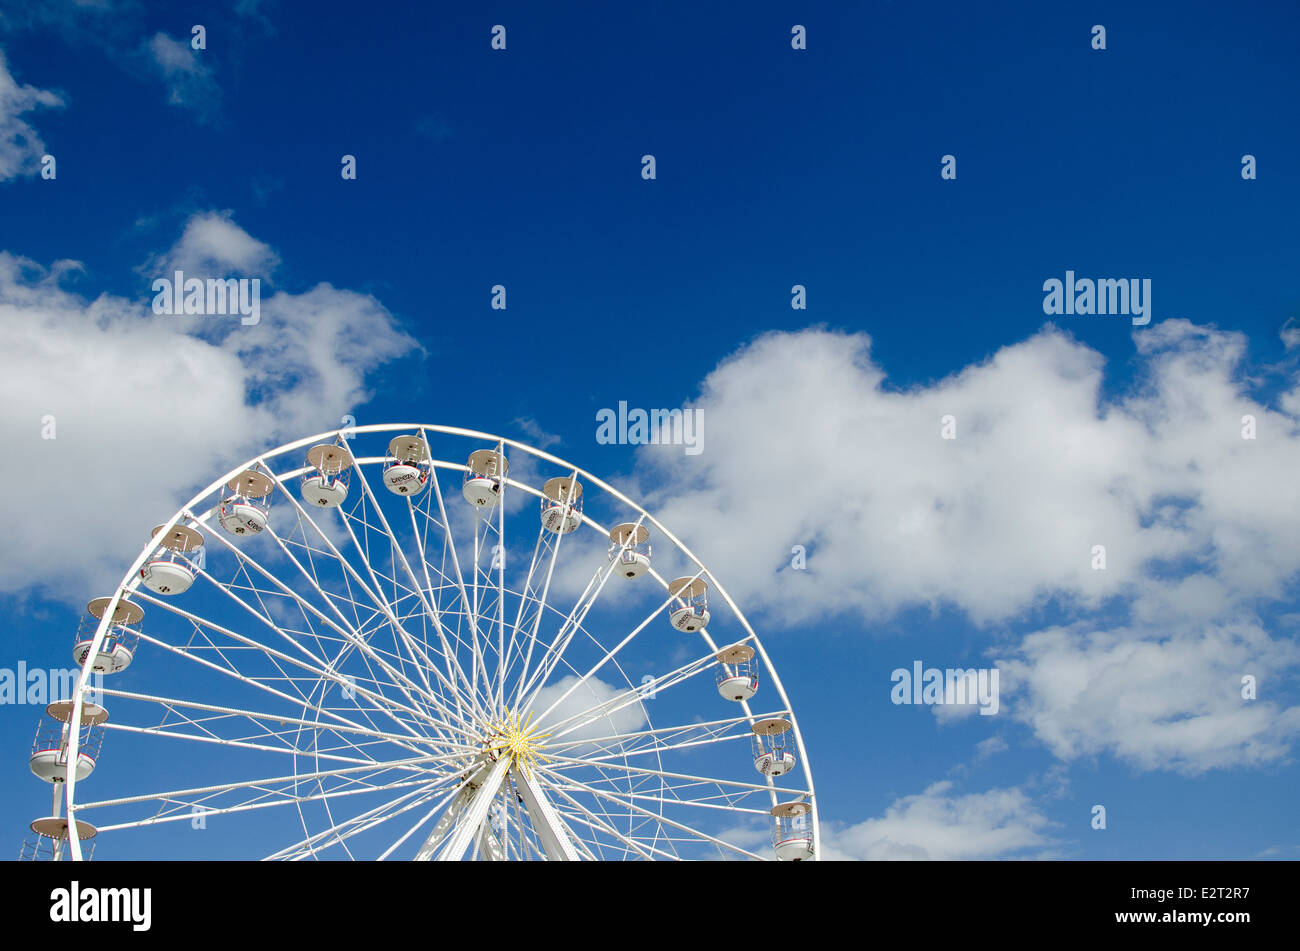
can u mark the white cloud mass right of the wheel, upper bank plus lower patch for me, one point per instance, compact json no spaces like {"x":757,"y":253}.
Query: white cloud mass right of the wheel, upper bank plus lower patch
{"x":809,"y":445}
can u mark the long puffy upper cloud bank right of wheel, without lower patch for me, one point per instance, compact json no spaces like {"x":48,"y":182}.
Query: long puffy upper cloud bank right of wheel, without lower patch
{"x":1007,"y":515}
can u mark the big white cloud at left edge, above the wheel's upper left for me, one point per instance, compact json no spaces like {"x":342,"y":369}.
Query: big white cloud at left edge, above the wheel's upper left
{"x":148,"y":410}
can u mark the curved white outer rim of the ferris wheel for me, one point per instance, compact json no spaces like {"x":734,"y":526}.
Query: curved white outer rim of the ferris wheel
{"x":132,"y":580}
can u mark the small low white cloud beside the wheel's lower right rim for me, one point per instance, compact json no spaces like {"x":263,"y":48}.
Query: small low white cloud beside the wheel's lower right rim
{"x":938,"y":824}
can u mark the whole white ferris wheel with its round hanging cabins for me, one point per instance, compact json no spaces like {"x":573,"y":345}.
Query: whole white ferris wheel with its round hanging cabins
{"x":421,"y":642}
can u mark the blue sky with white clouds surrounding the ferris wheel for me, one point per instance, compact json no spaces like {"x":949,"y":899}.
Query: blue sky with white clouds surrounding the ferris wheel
{"x":774,"y":168}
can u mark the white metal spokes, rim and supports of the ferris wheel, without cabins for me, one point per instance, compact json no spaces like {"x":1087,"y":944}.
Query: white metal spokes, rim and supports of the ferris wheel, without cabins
{"x":434,"y":693}
